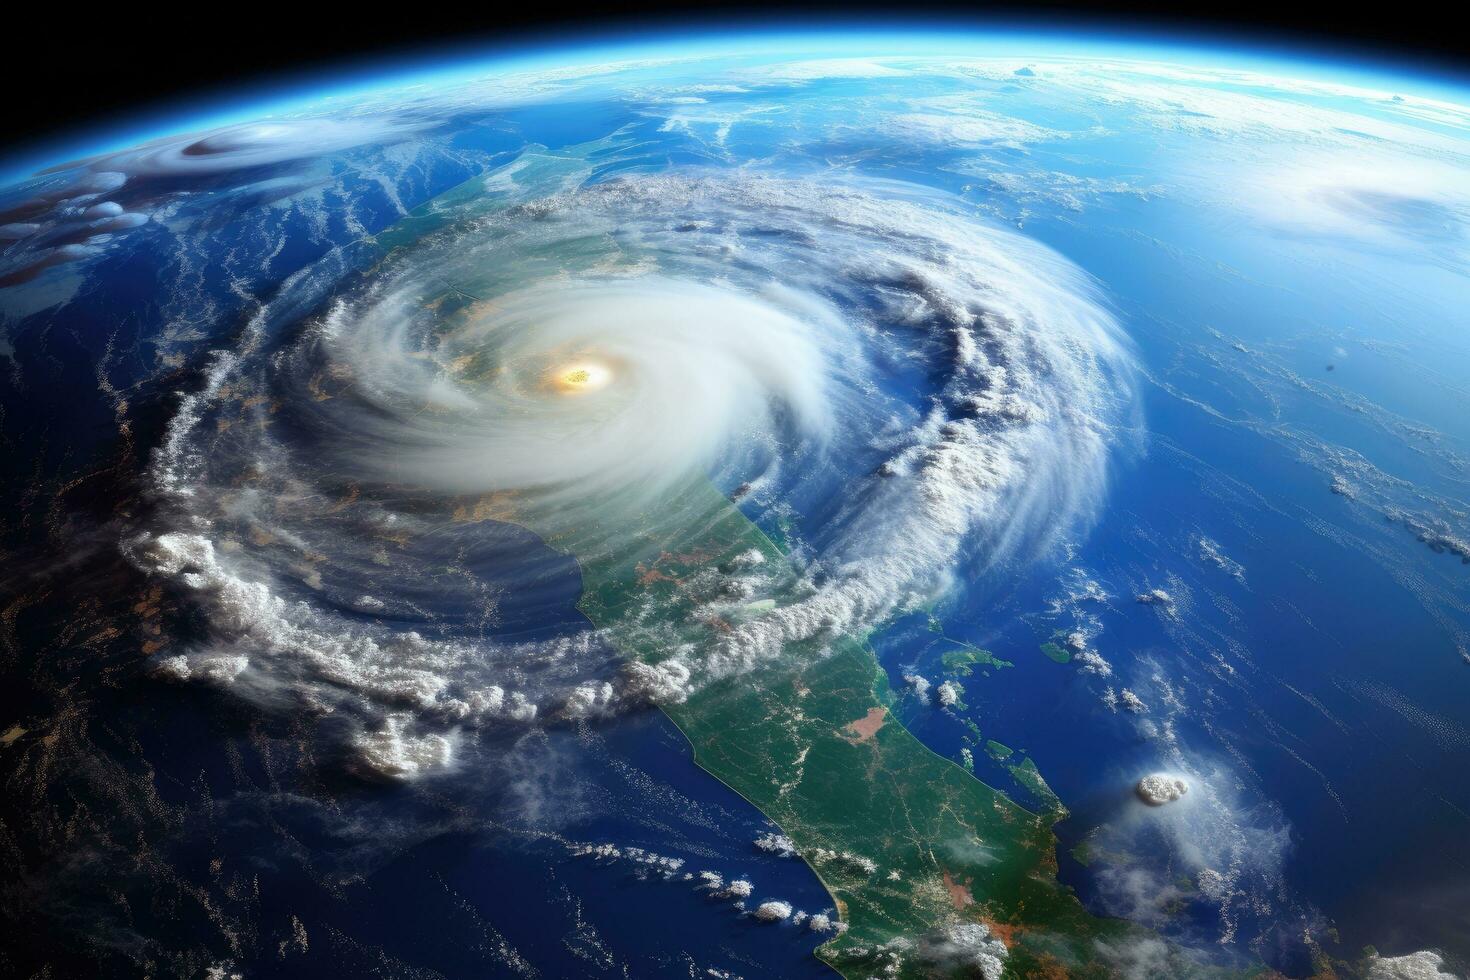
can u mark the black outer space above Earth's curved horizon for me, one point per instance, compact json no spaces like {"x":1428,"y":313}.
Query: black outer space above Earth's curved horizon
{"x":74,"y":71}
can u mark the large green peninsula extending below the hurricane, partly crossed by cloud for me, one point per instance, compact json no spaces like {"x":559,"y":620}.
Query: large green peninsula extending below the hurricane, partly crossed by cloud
{"x":903,"y":840}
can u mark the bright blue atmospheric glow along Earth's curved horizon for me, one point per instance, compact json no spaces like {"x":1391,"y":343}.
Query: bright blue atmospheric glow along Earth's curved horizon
{"x":449,"y":65}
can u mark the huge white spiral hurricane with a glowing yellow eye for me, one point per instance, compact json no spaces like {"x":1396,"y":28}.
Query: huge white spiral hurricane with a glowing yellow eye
{"x":914,"y":394}
